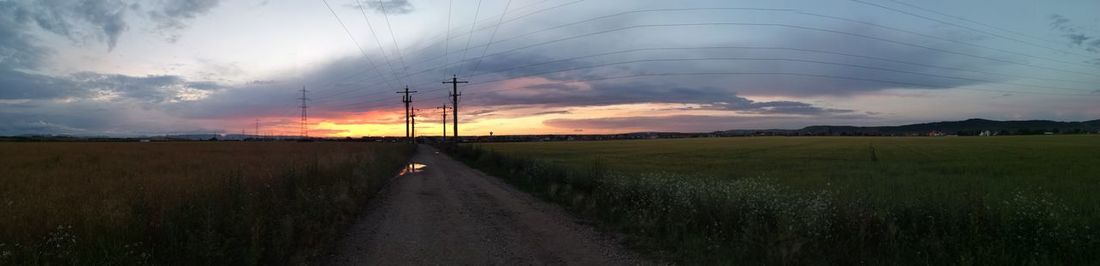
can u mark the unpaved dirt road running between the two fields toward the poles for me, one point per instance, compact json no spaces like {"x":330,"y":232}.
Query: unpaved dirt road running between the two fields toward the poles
{"x":448,"y":214}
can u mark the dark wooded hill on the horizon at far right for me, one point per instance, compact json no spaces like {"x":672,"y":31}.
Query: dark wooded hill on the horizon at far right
{"x":971,"y":127}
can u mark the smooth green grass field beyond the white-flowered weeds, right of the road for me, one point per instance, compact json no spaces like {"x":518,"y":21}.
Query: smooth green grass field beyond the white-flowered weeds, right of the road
{"x":1068,"y":167}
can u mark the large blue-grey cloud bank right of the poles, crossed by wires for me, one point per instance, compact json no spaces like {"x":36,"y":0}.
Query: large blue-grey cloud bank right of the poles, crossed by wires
{"x":797,"y":63}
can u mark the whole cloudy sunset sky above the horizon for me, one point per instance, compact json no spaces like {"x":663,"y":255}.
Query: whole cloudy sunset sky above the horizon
{"x":129,"y":69}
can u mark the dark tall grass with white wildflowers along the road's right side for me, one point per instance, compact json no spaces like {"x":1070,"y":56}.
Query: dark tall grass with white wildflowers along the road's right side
{"x":760,"y":220}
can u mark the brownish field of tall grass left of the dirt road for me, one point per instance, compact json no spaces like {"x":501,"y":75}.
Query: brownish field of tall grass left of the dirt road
{"x":237,"y":204}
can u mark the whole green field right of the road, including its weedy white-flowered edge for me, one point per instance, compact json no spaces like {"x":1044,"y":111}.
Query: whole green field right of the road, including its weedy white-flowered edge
{"x":827,"y":201}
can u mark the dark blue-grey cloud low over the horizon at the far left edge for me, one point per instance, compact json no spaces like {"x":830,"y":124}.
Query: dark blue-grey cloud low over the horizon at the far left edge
{"x":91,"y":104}
